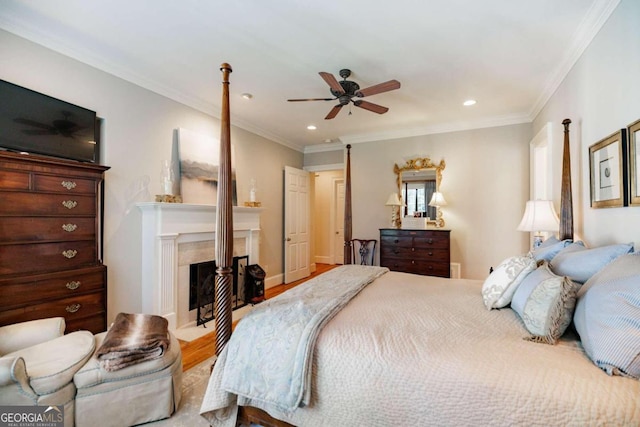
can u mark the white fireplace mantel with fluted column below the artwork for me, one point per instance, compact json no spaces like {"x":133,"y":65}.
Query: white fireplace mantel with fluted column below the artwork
{"x":164,"y":227}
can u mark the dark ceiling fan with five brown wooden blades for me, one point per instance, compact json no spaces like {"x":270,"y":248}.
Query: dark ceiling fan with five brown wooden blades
{"x":346,"y":90}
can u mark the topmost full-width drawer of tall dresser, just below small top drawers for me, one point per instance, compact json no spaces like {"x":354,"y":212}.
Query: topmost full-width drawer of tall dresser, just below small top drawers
{"x":21,"y":204}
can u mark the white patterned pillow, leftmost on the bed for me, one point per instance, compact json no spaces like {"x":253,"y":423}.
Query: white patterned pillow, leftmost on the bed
{"x":499,"y":287}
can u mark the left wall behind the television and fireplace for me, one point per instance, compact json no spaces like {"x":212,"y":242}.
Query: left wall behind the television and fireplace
{"x":138,"y":135}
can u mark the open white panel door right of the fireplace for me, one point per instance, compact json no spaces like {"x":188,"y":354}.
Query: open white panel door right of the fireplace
{"x":296,"y":224}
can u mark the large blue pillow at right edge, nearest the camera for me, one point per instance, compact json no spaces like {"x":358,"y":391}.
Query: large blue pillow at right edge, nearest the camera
{"x":608,"y":317}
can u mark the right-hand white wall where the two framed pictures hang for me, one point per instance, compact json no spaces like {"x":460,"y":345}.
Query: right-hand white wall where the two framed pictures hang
{"x":600,"y":95}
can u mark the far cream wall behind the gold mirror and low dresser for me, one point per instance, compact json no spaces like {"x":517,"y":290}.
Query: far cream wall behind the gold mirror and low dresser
{"x":485,"y":182}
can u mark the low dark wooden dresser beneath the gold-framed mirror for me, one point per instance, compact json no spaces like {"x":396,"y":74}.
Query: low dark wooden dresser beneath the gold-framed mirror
{"x":418,"y":251}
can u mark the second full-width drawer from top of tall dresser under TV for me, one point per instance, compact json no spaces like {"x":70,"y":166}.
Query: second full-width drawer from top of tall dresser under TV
{"x":33,"y":229}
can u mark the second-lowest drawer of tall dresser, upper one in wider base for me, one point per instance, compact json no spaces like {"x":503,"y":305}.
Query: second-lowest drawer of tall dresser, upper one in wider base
{"x":46,"y":287}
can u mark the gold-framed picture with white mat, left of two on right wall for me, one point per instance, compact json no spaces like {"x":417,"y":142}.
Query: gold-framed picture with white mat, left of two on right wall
{"x":608,"y":167}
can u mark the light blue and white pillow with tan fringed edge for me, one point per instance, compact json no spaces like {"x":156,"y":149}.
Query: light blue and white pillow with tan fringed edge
{"x":545,"y":303}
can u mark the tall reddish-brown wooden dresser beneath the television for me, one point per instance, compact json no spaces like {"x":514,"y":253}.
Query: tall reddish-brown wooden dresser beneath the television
{"x":50,"y":248}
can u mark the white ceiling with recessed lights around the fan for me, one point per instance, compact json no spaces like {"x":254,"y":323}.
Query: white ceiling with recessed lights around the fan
{"x":509,"y":55}
